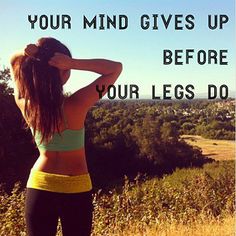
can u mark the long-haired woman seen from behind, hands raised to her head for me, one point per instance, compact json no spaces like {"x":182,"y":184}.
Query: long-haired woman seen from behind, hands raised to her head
{"x":59,"y":184}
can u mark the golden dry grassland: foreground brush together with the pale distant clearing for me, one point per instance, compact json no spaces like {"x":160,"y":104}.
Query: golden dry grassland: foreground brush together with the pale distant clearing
{"x":189,"y":202}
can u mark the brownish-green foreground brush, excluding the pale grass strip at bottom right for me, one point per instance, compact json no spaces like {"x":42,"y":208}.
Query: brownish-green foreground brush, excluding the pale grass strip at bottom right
{"x":186,"y":196}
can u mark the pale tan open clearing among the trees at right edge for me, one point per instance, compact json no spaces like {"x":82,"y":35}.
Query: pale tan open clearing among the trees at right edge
{"x":217,"y":149}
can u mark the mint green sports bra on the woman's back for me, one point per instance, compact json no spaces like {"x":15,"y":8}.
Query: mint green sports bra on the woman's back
{"x":69,"y":140}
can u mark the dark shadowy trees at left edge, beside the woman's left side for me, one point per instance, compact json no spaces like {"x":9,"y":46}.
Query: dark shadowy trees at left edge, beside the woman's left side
{"x":16,"y":147}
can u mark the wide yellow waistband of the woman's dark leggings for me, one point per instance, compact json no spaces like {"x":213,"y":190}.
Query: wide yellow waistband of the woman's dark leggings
{"x":59,"y":183}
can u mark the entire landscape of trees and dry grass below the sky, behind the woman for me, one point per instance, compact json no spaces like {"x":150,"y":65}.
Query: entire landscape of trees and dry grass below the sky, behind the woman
{"x":127,"y":138}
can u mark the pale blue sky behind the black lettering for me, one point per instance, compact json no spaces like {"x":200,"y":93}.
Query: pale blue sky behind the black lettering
{"x":140,"y":51}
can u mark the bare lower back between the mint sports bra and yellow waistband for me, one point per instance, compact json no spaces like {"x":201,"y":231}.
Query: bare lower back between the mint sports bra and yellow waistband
{"x":65,"y":163}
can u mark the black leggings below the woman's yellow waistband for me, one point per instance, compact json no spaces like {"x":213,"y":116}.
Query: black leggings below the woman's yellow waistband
{"x":43,"y":208}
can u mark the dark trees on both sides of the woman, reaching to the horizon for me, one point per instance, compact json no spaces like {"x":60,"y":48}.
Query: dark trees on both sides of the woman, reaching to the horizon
{"x":122,"y":138}
